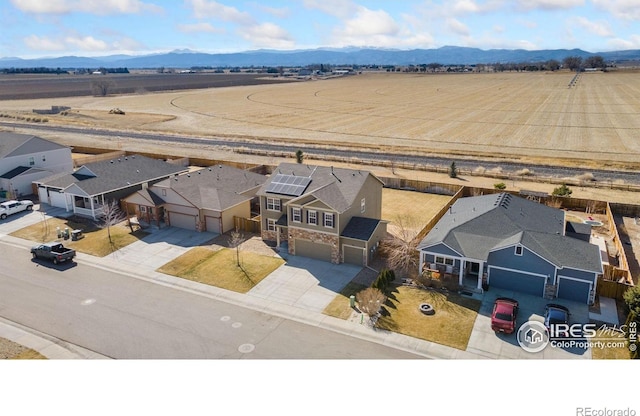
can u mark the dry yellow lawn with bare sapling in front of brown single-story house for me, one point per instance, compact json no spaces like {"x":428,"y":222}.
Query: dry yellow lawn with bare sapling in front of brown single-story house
{"x":220,"y":268}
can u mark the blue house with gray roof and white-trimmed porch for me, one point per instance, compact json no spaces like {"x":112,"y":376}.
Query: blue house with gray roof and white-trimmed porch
{"x":512,"y":243}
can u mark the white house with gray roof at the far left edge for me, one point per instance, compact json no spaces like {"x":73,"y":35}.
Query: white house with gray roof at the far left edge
{"x":25,"y":158}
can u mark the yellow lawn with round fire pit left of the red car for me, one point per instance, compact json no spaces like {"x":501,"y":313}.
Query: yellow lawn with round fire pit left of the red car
{"x":451,"y":325}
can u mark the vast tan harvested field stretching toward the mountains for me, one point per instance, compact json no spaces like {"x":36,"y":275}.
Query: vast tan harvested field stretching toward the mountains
{"x":528,"y":116}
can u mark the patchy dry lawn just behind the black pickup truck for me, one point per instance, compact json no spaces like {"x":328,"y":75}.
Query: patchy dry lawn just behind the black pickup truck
{"x":95,"y":242}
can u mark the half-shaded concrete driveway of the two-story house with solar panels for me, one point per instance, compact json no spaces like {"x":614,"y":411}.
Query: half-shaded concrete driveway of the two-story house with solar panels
{"x":306,"y":283}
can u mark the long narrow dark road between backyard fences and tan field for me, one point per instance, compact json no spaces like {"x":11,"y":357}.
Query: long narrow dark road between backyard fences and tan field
{"x":602,"y":175}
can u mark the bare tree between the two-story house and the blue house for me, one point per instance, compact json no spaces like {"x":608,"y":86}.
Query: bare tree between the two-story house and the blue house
{"x":401,"y":249}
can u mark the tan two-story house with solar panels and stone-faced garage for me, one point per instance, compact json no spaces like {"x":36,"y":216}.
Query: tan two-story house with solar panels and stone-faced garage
{"x":326,"y":213}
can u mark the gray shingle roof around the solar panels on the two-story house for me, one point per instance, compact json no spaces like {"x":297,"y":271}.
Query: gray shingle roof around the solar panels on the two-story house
{"x":336,"y":187}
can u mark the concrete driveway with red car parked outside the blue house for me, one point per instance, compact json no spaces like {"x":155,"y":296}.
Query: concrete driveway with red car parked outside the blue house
{"x":486,"y":343}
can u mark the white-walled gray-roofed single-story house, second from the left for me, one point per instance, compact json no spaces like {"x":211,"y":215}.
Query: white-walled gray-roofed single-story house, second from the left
{"x":91,"y":186}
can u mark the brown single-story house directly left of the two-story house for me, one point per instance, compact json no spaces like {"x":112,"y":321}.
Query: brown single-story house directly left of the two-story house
{"x":203,"y":200}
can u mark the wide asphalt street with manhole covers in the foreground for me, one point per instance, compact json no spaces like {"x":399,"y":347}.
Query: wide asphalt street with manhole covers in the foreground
{"x":126,"y":318}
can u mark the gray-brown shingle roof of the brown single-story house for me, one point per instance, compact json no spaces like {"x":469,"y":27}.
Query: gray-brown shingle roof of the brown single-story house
{"x":217,"y":187}
